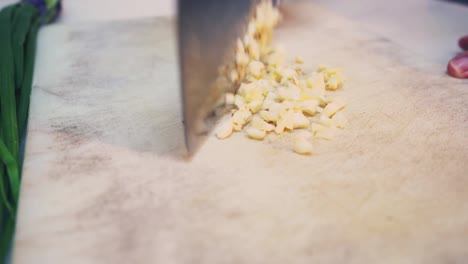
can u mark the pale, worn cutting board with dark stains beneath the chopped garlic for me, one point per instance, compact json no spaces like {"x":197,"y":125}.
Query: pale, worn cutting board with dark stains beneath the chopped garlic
{"x":105,"y":181}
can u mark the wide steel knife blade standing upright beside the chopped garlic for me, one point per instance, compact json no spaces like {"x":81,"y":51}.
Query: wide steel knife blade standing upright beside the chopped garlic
{"x":207,"y":31}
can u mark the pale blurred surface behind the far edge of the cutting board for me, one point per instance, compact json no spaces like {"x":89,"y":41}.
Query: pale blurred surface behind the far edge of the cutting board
{"x":425,"y":24}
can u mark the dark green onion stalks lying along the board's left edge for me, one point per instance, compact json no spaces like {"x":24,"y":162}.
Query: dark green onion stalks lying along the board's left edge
{"x":19,"y":25}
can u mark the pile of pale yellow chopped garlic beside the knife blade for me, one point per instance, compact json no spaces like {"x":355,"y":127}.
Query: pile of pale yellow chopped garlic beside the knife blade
{"x":274,"y":95}
